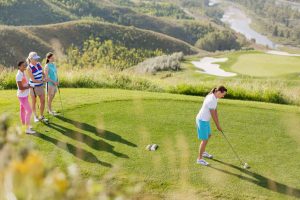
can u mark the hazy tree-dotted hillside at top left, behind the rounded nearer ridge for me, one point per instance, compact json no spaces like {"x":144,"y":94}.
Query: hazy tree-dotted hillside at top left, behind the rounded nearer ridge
{"x":53,"y":11}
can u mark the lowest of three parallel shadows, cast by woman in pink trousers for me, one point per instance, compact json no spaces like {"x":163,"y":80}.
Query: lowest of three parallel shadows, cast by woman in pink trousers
{"x":76,"y":151}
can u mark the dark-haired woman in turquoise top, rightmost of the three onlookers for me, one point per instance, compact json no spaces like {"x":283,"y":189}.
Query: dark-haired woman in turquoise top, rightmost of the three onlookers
{"x":51,"y":76}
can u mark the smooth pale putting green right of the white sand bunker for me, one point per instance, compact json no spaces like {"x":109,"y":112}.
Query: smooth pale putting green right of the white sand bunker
{"x":265,"y":65}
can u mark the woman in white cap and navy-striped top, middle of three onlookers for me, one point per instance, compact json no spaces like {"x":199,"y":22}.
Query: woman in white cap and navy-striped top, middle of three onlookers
{"x":36,"y":82}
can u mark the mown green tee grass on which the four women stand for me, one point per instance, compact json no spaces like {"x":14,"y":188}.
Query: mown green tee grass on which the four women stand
{"x":105,"y":128}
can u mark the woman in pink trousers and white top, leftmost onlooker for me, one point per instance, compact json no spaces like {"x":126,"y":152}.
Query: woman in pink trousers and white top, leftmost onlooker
{"x":23,"y":92}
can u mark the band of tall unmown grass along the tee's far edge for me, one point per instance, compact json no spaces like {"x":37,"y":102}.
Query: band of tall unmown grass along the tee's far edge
{"x":244,"y":89}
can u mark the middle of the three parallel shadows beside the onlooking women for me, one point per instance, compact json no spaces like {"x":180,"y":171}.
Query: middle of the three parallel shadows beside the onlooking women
{"x":99,"y":145}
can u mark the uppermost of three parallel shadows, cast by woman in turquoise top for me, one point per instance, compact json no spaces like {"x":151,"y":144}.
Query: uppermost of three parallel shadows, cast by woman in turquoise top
{"x":99,"y":132}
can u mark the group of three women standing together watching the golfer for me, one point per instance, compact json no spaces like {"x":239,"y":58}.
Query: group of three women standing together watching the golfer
{"x":39,"y":78}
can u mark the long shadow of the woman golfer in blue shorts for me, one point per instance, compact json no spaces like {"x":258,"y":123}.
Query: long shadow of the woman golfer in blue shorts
{"x":260,"y":180}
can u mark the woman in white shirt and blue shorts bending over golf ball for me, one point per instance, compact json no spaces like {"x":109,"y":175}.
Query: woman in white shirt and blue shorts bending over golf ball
{"x":208,"y":110}
